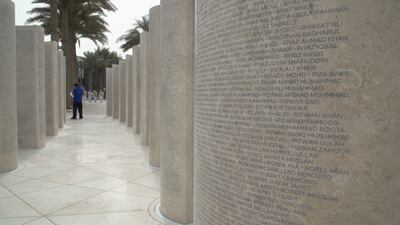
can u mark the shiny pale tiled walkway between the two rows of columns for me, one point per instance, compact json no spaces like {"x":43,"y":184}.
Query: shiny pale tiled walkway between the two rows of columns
{"x":93,"y":173}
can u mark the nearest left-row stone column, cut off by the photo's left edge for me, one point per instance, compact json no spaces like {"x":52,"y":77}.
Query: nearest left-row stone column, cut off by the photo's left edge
{"x":8,"y":86}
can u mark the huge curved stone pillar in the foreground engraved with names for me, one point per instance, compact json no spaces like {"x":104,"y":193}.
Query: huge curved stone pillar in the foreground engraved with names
{"x":297,"y":112}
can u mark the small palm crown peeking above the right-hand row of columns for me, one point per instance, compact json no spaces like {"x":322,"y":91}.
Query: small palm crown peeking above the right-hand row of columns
{"x":132,"y":37}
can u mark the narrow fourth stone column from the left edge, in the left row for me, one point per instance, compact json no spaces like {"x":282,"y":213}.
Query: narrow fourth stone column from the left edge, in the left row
{"x":61,"y":90}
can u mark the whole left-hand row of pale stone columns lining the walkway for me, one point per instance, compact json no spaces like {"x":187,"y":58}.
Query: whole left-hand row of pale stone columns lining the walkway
{"x":32,"y":83}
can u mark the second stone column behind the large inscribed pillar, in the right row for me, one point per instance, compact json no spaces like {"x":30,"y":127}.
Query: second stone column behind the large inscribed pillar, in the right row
{"x":154,"y":86}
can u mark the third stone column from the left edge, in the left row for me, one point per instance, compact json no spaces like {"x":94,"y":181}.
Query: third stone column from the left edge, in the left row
{"x":51,"y":90}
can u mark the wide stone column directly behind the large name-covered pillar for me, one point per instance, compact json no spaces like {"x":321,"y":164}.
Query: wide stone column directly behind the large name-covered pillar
{"x":176,"y":114}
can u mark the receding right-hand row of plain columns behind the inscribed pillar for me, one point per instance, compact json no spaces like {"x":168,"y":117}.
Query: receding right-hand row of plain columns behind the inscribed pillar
{"x":157,"y":101}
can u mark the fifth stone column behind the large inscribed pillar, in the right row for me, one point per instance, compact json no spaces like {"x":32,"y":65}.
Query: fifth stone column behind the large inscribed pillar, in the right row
{"x":129,"y":91}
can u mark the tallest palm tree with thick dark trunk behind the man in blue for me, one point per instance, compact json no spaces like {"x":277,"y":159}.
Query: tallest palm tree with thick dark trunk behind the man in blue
{"x":76,"y":19}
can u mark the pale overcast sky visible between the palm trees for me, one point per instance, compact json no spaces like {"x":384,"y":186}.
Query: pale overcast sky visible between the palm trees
{"x":119,"y":21}
